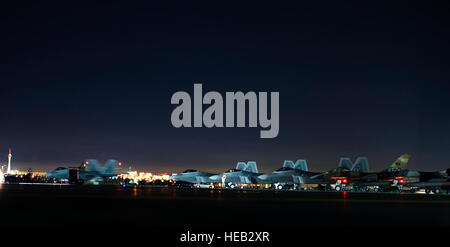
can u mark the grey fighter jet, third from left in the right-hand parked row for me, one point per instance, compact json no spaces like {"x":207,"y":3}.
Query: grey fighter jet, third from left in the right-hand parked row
{"x":289,"y":174}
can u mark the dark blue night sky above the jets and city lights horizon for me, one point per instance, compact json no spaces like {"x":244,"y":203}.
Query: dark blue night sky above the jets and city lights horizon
{"x":95,"y":81}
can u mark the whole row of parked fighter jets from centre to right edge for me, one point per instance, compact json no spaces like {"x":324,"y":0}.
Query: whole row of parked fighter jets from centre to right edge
{"x":349,"y":175}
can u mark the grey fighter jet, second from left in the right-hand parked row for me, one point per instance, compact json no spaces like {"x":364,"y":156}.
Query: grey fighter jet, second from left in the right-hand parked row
{"x":245,"y":173}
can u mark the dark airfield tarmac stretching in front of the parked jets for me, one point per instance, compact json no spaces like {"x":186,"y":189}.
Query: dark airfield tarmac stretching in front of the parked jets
{"x":54,"y":205}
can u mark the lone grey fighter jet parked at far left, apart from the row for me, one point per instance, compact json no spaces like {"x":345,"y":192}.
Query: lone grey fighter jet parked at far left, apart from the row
{"x":88,"y":171}
